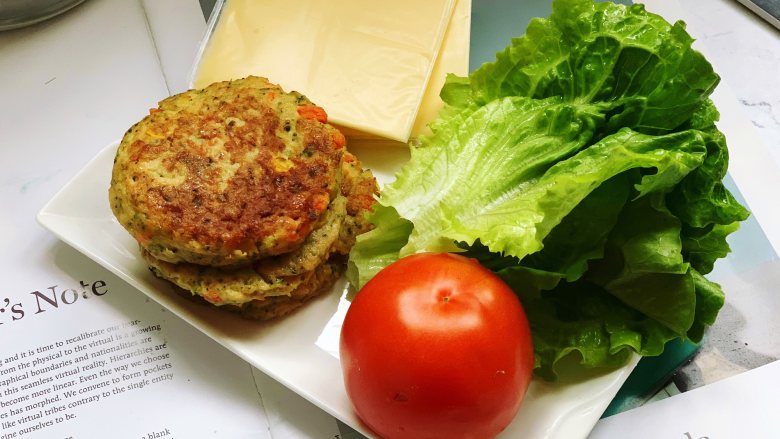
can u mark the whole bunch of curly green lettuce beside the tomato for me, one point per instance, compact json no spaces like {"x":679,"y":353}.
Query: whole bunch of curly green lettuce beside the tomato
{"x":584,"y":166}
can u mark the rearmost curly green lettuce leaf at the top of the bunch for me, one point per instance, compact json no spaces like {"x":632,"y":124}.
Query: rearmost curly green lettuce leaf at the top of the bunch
{"x":604,"y":52}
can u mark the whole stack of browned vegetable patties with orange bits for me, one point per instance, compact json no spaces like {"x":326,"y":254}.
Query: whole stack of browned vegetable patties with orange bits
{"x":241,"y":194}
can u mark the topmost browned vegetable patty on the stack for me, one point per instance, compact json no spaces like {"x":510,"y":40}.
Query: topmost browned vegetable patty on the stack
{"x":226,"y":175}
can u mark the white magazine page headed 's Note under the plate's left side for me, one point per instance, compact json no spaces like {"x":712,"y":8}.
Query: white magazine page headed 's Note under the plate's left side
{"x":83,"y":354}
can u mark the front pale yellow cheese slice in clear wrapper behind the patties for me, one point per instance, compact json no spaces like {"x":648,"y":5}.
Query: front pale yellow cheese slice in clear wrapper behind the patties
{"x":367,"y":62}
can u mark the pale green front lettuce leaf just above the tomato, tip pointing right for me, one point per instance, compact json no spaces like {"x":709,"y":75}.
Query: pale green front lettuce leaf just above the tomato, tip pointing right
{"x":512,"y":204}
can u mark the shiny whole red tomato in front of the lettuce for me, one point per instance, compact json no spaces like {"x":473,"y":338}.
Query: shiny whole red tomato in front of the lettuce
{"x":436,"y":346}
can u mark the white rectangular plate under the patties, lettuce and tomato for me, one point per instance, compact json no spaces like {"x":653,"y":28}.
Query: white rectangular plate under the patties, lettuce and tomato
{"x":285,"y":349}
